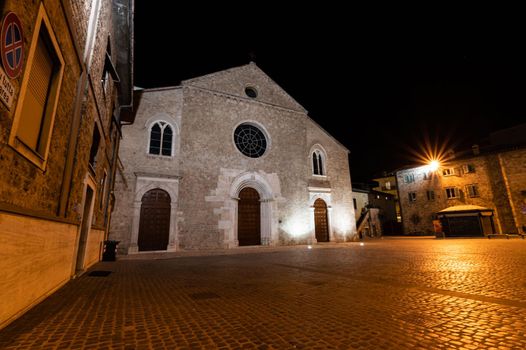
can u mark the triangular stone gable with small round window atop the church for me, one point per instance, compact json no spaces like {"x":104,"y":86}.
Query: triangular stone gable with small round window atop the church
{"x":235,"y":80}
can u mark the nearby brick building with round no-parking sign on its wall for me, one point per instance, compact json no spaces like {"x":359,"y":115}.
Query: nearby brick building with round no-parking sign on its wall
{"x":60,"y":119}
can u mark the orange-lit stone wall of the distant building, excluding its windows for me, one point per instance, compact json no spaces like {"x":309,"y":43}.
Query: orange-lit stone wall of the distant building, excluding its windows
{"x":496,"y":175}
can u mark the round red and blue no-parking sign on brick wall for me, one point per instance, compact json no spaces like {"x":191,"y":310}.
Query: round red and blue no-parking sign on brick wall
{"x":12,"y":45}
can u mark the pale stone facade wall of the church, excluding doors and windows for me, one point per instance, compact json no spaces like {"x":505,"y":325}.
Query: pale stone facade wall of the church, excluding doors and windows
{"x":210,"y":170}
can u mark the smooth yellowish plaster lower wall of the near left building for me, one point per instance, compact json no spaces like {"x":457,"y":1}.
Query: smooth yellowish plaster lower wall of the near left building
{"x":36,"y":258}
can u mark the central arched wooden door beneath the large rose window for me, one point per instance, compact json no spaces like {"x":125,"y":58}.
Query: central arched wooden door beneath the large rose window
{"x":248,"y":217}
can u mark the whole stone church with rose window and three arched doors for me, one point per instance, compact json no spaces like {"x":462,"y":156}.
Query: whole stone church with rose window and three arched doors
{"x":225,"y":160}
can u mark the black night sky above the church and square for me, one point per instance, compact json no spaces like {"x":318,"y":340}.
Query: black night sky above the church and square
{"x":382,"y":84}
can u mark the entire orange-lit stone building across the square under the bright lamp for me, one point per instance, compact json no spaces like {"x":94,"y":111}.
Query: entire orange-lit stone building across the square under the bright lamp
{"x":471,"y":195}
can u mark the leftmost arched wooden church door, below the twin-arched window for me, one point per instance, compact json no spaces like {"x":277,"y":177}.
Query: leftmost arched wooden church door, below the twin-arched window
{"x":154,"y":224}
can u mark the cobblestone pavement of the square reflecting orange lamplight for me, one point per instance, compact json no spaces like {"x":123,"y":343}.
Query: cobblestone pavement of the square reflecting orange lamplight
{"x":386,"y":294}
